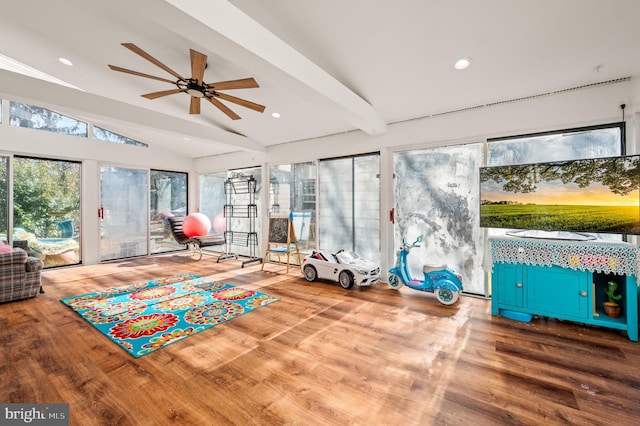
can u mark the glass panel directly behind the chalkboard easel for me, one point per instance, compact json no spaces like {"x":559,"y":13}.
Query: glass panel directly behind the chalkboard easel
{"x":292,"y":189}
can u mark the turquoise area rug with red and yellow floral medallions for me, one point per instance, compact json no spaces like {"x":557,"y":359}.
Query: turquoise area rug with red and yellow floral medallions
{"x":149,"y":315}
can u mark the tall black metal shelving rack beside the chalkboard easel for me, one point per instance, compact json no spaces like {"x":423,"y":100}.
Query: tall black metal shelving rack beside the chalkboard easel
{"x":240,"y":204}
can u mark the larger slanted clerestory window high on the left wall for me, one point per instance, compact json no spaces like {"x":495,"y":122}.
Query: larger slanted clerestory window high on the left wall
{"x":33,"y":117}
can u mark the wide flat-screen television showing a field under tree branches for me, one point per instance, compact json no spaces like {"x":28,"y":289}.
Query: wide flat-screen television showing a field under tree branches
{"x":596,"y":195}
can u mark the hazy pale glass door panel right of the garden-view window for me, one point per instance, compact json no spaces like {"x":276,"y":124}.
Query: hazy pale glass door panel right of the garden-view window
{"x":124,"y":219}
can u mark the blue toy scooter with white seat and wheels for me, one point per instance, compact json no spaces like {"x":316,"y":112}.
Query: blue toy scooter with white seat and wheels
{"x":438,"y":279}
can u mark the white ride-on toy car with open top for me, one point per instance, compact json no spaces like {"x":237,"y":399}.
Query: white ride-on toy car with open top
{"x":345,"y":267}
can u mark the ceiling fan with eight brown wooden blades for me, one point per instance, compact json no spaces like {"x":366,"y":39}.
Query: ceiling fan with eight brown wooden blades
{"x":195,"y":86}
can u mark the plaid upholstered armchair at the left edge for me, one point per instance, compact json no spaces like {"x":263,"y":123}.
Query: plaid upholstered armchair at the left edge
{"x":19,"y":275}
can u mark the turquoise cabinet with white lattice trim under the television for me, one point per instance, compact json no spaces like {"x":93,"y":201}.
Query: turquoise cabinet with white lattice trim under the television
{"x":571,"y":293}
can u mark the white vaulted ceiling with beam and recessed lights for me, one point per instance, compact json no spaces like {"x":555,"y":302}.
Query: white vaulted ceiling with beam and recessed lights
{"x":327,"y":67}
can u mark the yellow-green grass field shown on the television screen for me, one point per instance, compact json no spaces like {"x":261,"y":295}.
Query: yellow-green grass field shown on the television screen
{"x":605,"y":219}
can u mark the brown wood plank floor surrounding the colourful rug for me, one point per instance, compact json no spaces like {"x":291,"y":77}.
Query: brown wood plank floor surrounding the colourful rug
{"x":319,"y":356}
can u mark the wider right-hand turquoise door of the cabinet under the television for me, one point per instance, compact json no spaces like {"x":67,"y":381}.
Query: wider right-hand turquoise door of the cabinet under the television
{"x":555,"y":291}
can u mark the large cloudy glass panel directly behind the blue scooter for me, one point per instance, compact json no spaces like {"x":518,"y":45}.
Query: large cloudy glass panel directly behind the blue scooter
{"x":436,"y":196}
